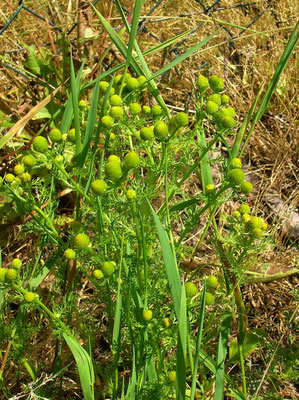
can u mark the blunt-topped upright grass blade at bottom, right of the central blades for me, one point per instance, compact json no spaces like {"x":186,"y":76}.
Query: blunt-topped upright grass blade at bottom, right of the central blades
{"x":221,"y":354}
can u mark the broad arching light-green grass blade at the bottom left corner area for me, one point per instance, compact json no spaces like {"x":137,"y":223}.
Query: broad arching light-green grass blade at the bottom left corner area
{"x":85,"y":367}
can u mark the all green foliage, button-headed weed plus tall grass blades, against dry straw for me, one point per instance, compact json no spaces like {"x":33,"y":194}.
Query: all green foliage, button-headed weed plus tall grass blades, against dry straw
{"x":122,"y":165}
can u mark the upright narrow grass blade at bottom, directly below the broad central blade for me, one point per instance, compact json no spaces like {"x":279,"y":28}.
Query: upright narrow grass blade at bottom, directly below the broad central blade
{"x":181,"y":349}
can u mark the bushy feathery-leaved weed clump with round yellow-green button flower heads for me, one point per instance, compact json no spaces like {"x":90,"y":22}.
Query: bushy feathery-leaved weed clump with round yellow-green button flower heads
{"x":115,"y":157}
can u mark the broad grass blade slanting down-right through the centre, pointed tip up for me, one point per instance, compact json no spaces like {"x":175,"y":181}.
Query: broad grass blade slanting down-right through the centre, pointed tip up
{"x":171,"y":267}
